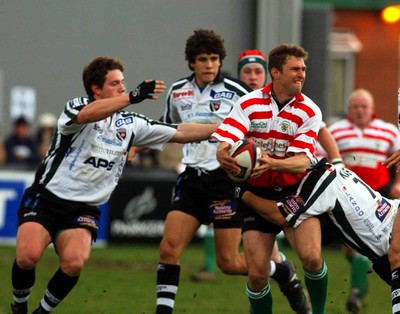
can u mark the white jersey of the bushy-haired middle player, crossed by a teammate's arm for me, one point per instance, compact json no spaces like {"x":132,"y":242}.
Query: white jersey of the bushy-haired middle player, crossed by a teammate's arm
{"x":186,"y":103}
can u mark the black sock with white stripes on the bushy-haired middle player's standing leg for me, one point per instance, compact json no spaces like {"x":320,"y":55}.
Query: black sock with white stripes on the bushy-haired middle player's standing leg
{"x":167,"y":286}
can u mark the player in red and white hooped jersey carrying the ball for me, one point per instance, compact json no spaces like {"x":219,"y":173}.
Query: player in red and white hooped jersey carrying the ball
{"x":285,"y":123}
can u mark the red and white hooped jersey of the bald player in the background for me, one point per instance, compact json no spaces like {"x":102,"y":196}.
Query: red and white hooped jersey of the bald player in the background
{"x":363,"y":150}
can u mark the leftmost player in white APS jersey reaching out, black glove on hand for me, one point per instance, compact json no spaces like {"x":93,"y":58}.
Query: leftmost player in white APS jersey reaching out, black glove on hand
{"x":79,"y":173}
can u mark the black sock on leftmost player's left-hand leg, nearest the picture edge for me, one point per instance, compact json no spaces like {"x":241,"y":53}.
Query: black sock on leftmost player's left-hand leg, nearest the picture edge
{"x":22,"y":282}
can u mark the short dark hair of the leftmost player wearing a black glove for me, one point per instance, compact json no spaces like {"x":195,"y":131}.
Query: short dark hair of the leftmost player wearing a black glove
{"x":95,"y":72}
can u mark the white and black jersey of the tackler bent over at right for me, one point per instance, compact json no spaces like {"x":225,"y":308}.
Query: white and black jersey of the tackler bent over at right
{"x":361,"y":217}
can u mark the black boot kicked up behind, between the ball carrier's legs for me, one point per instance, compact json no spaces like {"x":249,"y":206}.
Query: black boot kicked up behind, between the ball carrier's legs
{"x":294,"y":292}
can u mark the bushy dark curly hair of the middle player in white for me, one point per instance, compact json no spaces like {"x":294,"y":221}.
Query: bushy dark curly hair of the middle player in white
{"x":204,"y":41}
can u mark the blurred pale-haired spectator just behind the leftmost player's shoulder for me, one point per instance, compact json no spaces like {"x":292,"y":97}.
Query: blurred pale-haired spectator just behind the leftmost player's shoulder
{"x":47,"y":125}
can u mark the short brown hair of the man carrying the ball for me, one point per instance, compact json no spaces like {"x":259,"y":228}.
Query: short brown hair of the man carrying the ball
{"x":277,"y":56}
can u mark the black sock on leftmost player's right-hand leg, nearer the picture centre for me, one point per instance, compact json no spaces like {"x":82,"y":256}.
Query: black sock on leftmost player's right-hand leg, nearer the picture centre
{"x":58,"y":288}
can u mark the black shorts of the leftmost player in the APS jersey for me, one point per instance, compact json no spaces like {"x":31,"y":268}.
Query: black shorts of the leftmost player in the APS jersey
{"x":56,"y":214}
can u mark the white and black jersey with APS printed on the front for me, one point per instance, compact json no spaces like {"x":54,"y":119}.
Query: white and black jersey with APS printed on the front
{"x":85,"y":162}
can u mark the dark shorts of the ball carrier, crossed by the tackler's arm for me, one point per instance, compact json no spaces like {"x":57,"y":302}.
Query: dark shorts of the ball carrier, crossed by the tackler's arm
{"x":251,"y":219}
